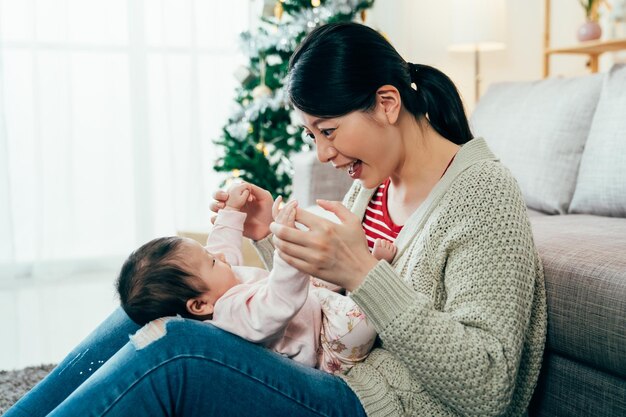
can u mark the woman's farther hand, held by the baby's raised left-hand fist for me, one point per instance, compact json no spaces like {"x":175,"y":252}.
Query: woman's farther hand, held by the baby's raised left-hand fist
{"x":258,"y":210}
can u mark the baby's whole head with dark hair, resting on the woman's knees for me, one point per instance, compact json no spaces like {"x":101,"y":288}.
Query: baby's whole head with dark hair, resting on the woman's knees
{"x":172,"y":275}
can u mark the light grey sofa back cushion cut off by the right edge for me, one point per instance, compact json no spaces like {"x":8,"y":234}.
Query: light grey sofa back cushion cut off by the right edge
{"x":601,"y":186}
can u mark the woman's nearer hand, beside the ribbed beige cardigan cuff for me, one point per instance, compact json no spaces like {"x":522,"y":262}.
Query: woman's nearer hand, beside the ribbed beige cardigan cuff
{"x":336,"y":253}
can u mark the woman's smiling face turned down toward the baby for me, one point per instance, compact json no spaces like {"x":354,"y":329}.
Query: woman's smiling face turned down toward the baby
{"x":358,"y":143}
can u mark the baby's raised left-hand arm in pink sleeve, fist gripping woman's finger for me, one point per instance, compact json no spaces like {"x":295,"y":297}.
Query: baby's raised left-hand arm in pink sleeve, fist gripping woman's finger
{"x":227,"y":232}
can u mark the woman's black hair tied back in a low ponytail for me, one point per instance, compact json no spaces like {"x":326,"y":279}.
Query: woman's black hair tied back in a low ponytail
{"x":338,"y":68}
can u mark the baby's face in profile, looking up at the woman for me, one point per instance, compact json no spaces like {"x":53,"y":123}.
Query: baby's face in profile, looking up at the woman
{"x":212,"y":268}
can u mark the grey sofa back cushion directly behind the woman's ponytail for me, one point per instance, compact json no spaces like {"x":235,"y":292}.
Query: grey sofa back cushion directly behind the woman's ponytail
{"x":538,"y":129}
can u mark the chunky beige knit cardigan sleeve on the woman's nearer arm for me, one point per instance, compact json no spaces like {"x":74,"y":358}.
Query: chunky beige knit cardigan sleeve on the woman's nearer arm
{"x":467,"y":353}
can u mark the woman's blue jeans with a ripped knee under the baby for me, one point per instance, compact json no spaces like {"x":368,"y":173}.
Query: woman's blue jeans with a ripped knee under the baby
{"x":182,"y":368}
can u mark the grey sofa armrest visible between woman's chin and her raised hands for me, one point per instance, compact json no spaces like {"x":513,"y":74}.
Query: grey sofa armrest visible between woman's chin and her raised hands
{"x":313,"y":180}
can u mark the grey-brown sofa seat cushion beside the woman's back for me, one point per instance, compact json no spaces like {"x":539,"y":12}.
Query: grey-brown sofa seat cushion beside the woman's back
{"x":584,"y":259}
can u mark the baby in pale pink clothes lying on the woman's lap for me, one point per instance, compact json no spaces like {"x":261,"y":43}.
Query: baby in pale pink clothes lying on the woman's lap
{"x":302,"y":318}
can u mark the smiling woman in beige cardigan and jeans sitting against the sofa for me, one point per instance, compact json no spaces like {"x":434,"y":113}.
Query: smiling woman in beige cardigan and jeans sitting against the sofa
{"x":460,"y":311}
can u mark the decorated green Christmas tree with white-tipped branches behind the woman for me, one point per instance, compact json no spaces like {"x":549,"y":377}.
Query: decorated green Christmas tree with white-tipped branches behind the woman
{"x":260,"y":136}
